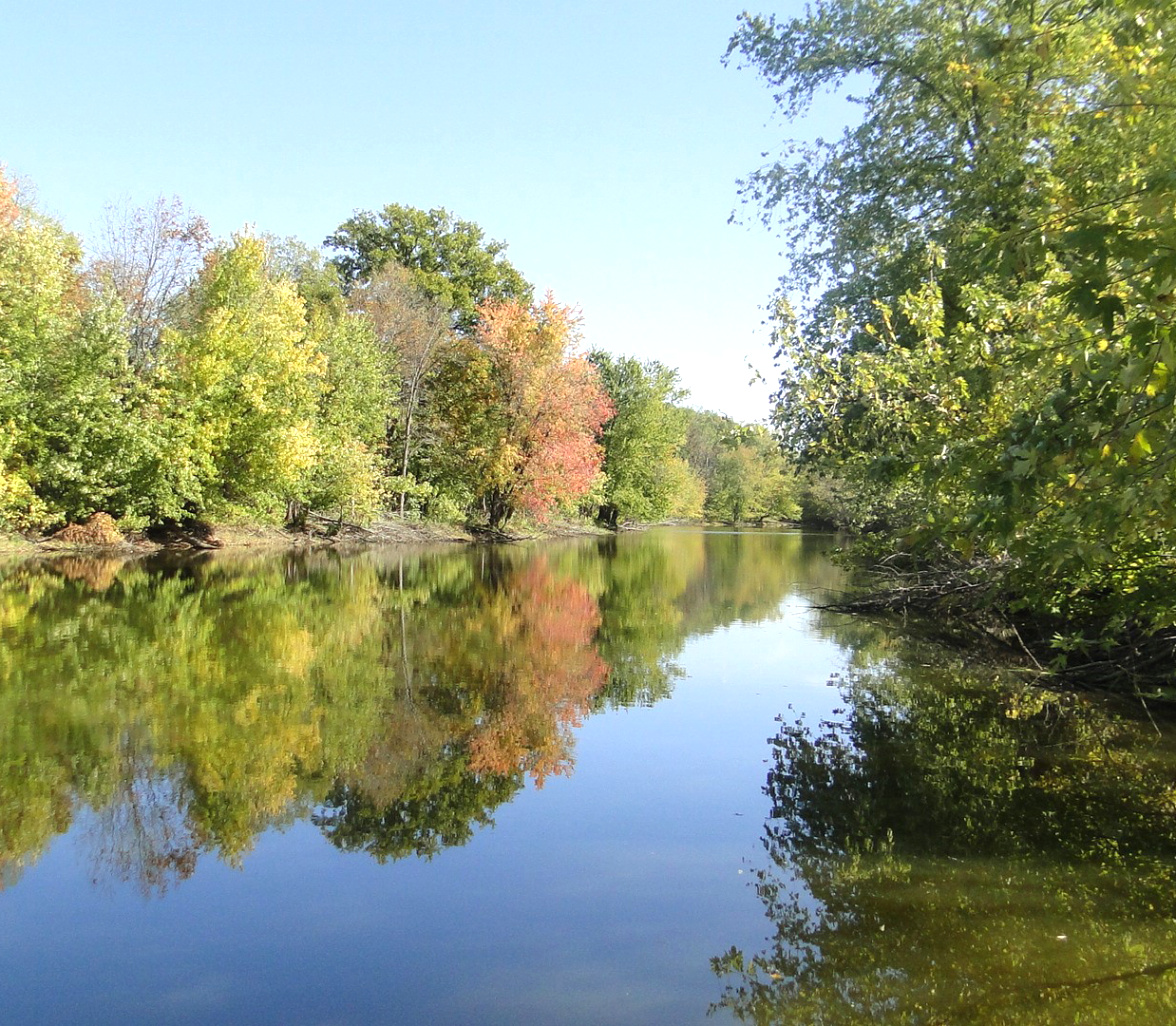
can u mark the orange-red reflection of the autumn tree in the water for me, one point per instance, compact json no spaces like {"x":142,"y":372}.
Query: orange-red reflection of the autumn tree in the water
{"x":549,"y":672}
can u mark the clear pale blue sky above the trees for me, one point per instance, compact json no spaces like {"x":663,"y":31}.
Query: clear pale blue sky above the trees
{"x":602,"y":141}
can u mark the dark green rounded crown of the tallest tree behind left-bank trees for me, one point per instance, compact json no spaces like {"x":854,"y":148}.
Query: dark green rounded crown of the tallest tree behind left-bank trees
{"x":449,"y":259}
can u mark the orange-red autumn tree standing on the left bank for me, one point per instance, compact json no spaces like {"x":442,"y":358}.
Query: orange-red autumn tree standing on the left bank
{"x":522,"y":411}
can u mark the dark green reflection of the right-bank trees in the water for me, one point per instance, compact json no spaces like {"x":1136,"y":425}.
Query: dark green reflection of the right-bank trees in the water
{"x":952,"y":850}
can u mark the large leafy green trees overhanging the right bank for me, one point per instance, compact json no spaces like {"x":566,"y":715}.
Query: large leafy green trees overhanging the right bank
{"x":975,"y":329}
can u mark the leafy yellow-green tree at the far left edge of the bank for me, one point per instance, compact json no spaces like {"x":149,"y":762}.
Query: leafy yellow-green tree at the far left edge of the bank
{"x":75,"y":428}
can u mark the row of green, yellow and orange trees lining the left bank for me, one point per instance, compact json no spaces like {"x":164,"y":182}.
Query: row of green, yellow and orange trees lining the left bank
{"x":170,"y":378}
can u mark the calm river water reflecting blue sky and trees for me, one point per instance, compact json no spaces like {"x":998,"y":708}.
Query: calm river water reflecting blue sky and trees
{"x":636,"y":781}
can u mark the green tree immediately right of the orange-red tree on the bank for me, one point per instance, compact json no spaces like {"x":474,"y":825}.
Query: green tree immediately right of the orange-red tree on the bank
{"x":645,"y":476}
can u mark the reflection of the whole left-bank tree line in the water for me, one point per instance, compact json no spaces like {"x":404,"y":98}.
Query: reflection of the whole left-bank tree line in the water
{"x":396,"y":698}
